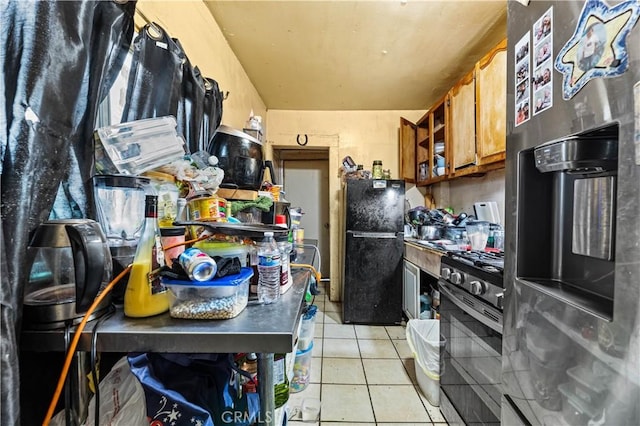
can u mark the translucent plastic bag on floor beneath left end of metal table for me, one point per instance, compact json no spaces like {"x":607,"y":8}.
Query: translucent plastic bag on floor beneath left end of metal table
{"x":121,"y":400}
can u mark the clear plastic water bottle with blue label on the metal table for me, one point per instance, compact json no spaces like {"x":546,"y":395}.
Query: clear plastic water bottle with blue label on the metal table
{"x":268,"y":270}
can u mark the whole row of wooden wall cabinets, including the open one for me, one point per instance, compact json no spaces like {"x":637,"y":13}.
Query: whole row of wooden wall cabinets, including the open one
{"x":467,"y":127}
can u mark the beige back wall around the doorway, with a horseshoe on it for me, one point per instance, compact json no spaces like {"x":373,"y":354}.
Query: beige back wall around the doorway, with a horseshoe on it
{"x":364,"y":135}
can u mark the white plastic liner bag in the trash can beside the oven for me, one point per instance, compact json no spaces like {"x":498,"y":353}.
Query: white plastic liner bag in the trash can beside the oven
{"x":423,"y":337}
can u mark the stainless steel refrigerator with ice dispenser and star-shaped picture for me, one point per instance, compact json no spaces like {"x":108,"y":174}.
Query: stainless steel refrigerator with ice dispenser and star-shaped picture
{"x":571,"y":334}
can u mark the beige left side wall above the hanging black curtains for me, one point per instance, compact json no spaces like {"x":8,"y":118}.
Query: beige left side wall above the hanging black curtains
{"x":205,"y":46}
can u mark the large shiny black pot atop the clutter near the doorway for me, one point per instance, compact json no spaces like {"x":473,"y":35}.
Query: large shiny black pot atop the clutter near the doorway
{"x":240,"y":156}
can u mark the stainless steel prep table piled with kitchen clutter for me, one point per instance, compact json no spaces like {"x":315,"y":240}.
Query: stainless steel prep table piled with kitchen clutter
{"x":263,"y":329}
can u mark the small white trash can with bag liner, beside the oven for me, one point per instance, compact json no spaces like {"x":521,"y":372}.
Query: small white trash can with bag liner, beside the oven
{"x":425,"y":341}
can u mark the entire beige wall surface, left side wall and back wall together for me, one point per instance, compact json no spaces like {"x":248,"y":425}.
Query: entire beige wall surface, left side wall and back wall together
{"x":364,"y":135}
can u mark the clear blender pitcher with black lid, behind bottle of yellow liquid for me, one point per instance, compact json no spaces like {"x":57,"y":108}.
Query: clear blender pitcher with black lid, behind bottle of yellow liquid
{"x":119,"y":203}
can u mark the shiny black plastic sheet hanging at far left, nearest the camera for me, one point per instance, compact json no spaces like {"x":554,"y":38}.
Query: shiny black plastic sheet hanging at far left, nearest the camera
{"x":59,"y":59}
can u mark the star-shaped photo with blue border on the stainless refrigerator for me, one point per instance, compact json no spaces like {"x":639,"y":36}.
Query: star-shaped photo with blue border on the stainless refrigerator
{"x":598,"y":46}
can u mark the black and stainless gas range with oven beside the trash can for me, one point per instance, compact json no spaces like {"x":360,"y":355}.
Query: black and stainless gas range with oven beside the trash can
{"x":471,"y":295}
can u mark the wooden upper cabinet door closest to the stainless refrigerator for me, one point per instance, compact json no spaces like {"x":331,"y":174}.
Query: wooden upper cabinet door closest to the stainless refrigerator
{"x":491,"y":93}
